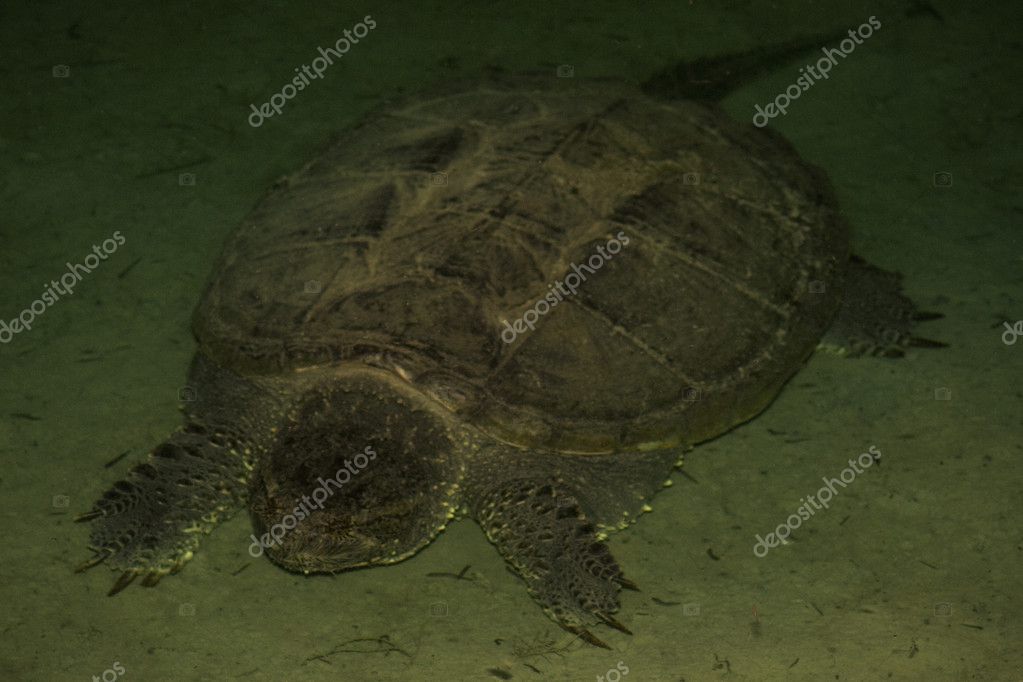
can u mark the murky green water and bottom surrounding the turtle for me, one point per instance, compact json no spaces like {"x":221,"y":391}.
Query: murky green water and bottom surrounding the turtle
{"x":131,"y":125}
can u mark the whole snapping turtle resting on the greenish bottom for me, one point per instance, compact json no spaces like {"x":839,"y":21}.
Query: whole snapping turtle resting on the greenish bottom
{"x":519,"y":302}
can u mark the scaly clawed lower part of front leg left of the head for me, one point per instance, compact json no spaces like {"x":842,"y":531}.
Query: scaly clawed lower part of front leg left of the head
{"x":151,"y":523}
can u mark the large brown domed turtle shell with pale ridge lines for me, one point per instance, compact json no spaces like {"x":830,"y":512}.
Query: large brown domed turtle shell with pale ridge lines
{"x":438,"y":241}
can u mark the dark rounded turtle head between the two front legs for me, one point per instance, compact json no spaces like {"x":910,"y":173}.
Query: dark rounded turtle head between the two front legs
{"x":361,"y":475}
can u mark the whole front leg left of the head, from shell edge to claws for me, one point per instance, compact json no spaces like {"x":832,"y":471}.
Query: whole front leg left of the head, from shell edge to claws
{"x":151,"y":523}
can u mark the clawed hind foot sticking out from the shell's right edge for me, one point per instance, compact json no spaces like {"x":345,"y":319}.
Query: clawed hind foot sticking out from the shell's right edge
{"x":876,"y":319}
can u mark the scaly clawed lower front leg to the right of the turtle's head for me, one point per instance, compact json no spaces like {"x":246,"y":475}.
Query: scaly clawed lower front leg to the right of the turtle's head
{"x":544,"y":533}
